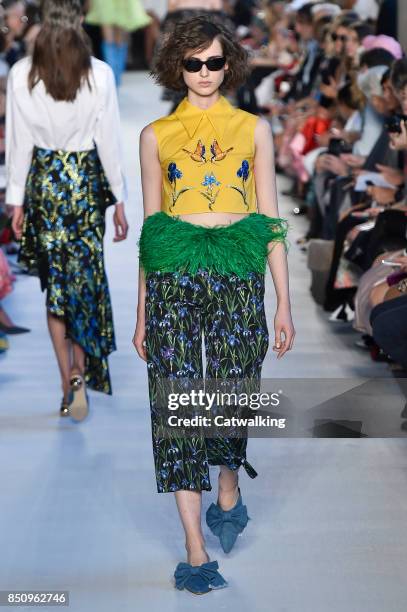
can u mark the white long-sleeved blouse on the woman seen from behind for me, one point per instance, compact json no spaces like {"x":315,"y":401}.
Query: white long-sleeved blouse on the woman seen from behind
{"x":35,"y":118}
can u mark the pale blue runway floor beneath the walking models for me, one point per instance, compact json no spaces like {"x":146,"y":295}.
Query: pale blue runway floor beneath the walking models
{"x":79,"y":509}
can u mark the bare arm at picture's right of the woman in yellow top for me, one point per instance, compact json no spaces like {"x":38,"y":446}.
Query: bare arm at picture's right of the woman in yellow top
{"x":266,"y":191}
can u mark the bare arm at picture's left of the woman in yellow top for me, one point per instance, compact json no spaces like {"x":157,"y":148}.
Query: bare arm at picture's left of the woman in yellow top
{"x":151,"y":182}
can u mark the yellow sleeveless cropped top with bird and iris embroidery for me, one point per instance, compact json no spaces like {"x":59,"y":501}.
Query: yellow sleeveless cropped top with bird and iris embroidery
{"x":207,"y":159}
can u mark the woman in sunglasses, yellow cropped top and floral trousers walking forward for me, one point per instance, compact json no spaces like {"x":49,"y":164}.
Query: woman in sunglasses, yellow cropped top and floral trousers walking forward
{"x":203,"y":251}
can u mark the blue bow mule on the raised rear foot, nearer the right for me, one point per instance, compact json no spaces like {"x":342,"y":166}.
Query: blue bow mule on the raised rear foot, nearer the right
{"x":227,"y":524}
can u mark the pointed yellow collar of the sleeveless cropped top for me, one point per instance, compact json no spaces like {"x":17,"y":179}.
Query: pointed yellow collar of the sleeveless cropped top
{"x":218,"y":114}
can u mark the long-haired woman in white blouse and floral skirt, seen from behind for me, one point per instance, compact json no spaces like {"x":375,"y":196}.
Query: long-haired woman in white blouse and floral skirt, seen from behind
{"x":63,"y":155}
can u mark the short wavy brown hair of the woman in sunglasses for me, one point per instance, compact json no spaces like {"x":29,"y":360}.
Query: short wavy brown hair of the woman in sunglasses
{"x":197,"y":34}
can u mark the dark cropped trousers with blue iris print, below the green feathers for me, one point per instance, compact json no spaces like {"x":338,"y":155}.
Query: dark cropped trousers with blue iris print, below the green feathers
{"x":227,"y":311}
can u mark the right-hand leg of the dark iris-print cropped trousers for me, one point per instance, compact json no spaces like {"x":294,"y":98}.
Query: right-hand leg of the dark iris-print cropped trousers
{"x":236,"y":343}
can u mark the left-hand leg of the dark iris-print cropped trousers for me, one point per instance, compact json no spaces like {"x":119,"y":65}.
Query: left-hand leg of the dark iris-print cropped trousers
{"x":174,"y":351}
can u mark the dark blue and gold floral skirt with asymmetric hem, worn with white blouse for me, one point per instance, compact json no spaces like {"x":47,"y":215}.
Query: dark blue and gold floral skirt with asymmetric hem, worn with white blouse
{"x":66,"y":198}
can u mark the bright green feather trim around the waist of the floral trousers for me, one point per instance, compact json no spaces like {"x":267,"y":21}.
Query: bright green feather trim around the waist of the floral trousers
{"x":169,"y":244}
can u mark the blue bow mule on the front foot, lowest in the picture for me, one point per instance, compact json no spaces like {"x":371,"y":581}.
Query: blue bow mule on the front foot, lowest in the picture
{"x":199,"y":579}
